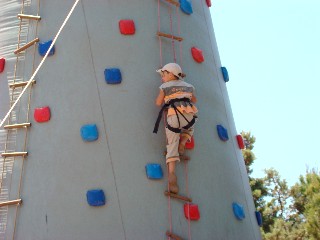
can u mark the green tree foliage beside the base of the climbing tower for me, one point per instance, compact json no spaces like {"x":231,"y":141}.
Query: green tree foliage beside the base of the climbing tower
{"x":291,"y":213}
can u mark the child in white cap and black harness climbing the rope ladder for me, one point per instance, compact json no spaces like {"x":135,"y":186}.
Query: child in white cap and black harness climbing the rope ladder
{"x":178,"y":98}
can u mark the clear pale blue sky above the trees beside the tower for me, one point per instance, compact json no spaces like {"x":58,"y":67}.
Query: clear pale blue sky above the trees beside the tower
{"x":272,"y":52}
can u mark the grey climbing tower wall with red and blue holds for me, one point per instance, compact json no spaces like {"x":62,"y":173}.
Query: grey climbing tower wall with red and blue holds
{"x":79,"y":159}
